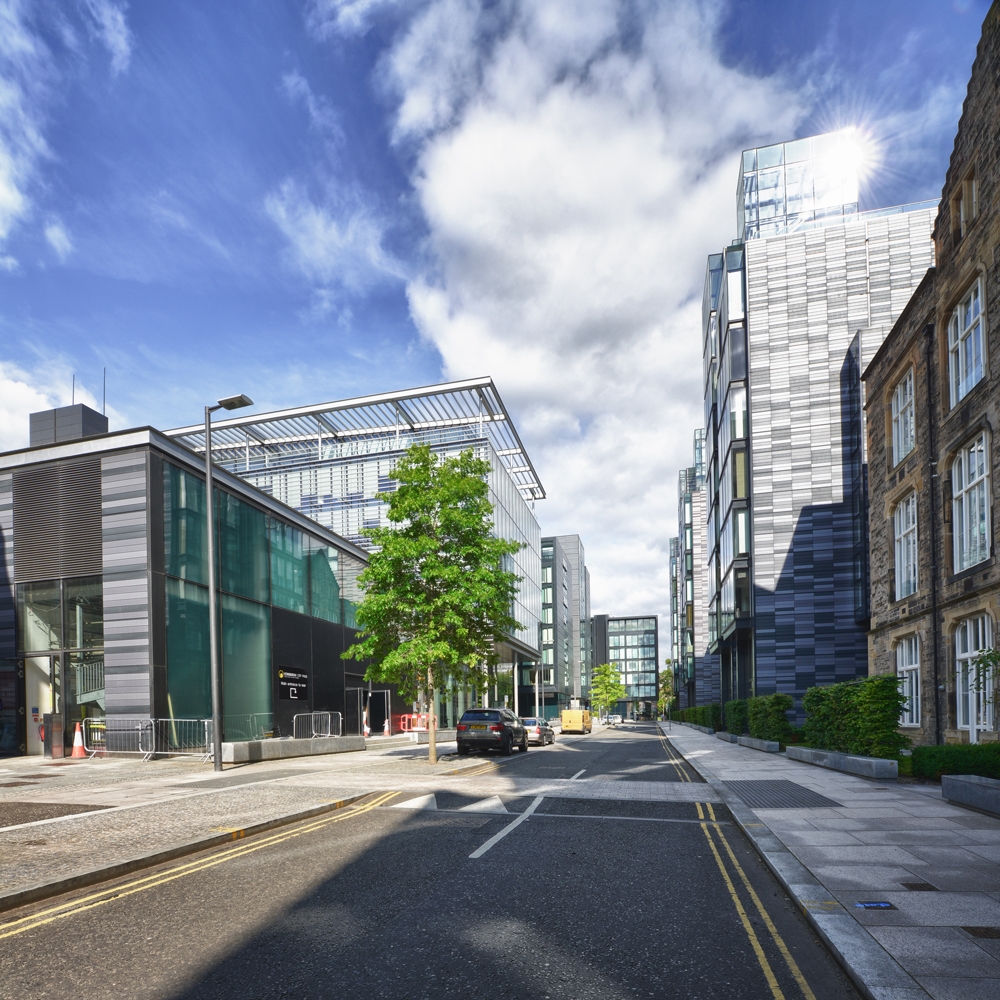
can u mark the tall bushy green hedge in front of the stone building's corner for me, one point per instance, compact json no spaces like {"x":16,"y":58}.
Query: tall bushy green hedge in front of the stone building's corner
{"x":857,"y":717}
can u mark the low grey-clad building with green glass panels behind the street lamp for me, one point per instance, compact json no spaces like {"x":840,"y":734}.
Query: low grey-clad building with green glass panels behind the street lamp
{"x":104,"y":597}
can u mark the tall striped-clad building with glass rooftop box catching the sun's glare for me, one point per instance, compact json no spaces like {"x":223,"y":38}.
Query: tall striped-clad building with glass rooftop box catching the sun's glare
{"x":793,"y":310}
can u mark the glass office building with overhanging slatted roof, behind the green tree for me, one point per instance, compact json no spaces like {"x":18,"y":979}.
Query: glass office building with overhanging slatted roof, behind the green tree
{"x":329,"y":461}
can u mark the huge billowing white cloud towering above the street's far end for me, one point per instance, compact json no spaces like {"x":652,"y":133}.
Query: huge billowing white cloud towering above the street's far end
{"x":573,"y":182}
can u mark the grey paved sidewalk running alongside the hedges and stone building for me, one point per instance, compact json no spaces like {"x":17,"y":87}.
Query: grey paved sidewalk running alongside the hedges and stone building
{"x":835,"y":840}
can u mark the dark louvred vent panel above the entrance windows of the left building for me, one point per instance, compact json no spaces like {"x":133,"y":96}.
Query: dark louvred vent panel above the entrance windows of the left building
{"x":57,"y":519}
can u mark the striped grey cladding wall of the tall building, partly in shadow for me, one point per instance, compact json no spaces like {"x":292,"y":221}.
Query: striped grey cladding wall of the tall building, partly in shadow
{"x":809,"y":295}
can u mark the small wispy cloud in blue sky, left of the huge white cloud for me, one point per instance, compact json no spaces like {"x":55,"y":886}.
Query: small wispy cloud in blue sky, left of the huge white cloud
{"x":336,"y":245}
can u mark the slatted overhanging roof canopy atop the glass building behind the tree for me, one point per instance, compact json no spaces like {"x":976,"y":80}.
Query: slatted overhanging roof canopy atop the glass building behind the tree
{"x":472,"y":404}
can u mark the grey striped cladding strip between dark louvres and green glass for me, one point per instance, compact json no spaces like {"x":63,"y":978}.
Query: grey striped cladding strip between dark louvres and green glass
{"x":124,"y":520}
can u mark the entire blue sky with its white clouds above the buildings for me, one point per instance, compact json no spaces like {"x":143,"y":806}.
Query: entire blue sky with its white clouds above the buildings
{"x":324,"y":198}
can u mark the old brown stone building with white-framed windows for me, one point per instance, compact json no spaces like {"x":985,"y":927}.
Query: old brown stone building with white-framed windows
{"x":933,"y":402}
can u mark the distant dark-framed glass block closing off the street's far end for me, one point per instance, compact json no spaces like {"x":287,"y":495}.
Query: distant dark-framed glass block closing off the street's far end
{"x":632,"y":645}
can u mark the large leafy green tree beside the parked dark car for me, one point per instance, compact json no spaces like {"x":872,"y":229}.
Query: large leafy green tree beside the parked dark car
{"x":438,"y":592}
